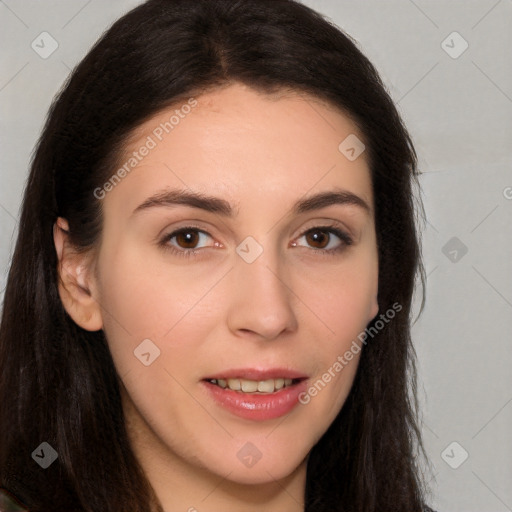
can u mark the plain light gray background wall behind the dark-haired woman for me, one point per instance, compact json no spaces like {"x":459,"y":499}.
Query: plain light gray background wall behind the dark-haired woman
{"x":459,"y":112}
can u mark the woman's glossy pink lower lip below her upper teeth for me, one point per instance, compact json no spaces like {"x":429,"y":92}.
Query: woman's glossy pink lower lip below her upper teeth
{"x":254,"y":406}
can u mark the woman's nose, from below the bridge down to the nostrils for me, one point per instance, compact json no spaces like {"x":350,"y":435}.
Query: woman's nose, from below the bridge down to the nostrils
{"x":261,"y":300}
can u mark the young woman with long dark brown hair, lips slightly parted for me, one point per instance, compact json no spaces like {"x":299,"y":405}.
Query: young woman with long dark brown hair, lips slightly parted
{"x":208,"y":305}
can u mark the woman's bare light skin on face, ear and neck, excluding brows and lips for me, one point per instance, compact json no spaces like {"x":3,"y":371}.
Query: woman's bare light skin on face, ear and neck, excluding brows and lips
{"x":292,"y":307}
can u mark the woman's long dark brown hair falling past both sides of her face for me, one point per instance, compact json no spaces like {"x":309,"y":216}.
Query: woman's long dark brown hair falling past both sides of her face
{"x":59,"y":384}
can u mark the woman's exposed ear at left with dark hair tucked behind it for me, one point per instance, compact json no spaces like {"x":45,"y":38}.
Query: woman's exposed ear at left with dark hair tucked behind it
{"x":77,"y":286}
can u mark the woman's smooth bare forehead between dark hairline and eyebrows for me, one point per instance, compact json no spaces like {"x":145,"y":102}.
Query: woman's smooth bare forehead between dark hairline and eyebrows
{"x":245,"y":146}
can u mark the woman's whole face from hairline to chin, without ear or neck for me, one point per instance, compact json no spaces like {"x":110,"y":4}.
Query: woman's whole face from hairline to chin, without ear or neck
{"x":258,"y":286}
